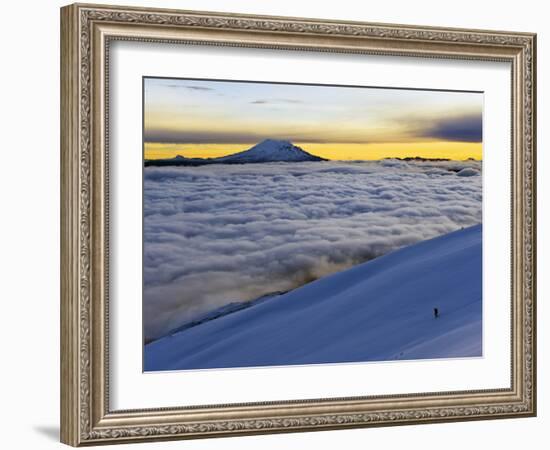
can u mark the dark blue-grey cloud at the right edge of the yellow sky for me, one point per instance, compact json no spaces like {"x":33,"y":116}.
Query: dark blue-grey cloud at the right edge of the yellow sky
{"x":461,"y":129}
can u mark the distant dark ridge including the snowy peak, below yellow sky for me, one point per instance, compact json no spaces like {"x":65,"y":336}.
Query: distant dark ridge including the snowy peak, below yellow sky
{"x":269,"y":150}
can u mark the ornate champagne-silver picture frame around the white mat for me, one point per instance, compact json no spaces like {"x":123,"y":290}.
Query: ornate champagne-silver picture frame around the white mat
{"x":87,"y":31}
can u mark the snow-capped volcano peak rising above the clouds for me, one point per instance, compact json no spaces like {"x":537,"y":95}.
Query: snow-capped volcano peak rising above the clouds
{"x":271,"y":150}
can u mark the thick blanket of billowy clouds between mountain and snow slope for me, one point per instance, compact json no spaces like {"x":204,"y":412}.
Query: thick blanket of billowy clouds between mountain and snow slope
{"x":223,"y":233}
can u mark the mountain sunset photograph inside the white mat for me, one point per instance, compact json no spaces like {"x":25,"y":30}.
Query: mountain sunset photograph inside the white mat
{"x":294,"y":224}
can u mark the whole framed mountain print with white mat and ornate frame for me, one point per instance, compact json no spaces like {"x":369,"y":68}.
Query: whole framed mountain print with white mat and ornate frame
{"x":278,"y":224}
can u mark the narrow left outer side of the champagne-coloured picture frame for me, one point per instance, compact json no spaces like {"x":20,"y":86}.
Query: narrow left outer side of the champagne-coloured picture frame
{"x":70,"y":299}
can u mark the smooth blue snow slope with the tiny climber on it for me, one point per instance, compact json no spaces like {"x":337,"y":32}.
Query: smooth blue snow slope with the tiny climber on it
{"x":379,"y":310}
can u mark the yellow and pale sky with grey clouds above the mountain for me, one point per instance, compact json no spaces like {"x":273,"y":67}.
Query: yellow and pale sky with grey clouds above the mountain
{"x":206,"y":118}
